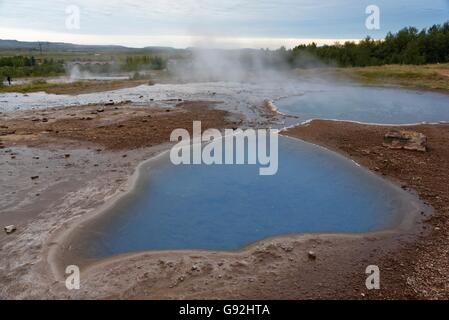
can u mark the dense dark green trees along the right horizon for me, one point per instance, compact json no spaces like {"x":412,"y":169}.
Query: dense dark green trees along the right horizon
{"x":408,"y":46}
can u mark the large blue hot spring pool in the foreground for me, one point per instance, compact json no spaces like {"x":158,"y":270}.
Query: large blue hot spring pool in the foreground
{"x":228,"y":207}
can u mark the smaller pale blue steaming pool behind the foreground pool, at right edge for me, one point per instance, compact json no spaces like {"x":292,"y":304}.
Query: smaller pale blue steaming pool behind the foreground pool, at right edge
{"x":368,"y":104}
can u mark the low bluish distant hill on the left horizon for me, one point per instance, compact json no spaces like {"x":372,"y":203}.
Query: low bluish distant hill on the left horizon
{"x":69,"y":47}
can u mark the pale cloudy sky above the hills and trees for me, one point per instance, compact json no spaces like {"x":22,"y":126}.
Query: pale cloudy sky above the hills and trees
{"x":225,"y":23}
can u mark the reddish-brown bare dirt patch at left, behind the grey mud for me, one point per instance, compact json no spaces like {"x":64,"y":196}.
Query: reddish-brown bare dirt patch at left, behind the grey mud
{"x":115,"y":127}
